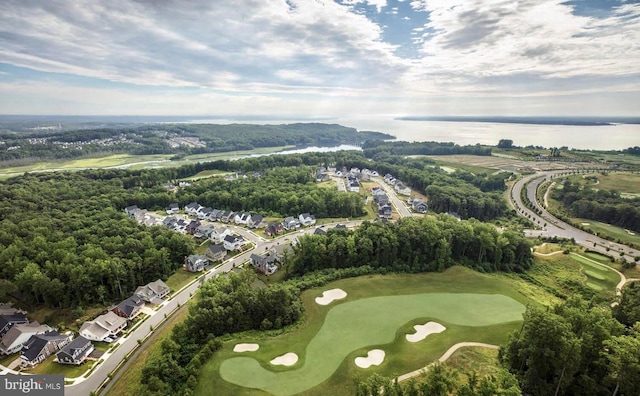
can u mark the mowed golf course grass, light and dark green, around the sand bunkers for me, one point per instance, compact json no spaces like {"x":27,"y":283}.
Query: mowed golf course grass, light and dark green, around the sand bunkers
{"x":332,"y":349}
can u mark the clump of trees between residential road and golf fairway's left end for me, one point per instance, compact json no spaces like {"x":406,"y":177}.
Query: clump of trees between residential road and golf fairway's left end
{"x":224,"y":305}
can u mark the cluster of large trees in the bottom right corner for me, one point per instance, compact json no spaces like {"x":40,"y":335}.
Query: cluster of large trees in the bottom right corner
{"x":575,"y":348}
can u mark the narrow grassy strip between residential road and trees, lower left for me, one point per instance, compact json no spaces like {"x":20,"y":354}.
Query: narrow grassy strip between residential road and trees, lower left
{"x":127,"y":384}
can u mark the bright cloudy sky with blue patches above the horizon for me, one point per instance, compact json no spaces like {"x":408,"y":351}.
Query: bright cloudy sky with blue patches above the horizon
{"x":320,"y":58}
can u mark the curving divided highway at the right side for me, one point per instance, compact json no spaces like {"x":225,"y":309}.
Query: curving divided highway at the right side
{"x":552,"y":226}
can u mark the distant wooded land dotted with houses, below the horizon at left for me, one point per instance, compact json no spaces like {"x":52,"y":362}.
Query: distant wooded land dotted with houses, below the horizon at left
{"x":181,"y":139}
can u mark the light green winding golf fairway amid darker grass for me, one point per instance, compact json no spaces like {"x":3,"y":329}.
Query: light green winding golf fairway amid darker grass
{"x":366,"y":322}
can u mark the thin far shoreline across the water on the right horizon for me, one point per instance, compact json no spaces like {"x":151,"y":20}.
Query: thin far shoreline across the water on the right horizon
{"x":572,"y":121}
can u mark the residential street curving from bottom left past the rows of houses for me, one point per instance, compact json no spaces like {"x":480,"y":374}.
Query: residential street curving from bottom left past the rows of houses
{"x":84,"y":387}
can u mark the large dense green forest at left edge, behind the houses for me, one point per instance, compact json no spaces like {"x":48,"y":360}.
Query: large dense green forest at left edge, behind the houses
{"x":64,"y":241}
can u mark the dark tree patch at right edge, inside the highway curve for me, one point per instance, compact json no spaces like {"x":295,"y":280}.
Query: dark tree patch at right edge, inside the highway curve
{"x":606,"y":206}
